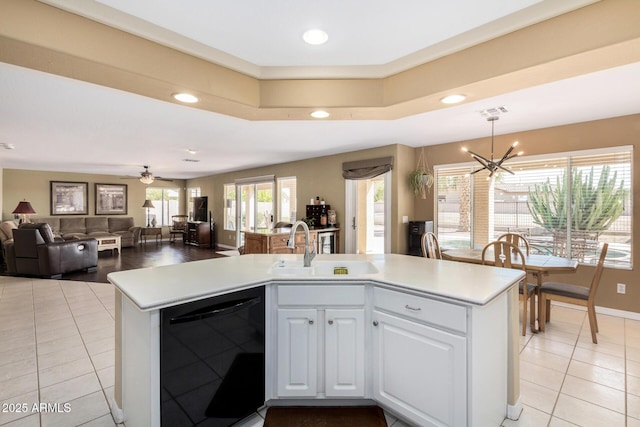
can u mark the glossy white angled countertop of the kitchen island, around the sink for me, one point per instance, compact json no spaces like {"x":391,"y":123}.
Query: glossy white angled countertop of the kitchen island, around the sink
{"x":158,"y":287}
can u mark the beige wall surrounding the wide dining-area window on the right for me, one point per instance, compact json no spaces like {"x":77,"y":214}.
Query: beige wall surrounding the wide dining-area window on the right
{"x":581,"y":136}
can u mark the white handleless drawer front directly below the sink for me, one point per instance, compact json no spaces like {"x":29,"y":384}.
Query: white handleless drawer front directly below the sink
{"x":317,"y":295}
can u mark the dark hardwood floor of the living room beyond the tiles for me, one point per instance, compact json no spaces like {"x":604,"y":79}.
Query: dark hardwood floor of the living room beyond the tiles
{"x":139,"y":256}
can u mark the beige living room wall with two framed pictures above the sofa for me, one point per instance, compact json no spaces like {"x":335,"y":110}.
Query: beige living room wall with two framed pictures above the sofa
{"x":34,"y":186}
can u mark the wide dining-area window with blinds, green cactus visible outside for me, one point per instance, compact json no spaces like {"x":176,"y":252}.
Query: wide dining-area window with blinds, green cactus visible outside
{"x":566,"y":204}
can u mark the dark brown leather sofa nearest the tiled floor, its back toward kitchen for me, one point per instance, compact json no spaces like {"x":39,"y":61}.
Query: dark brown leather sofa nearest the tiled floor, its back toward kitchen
{"x":35,"y":252}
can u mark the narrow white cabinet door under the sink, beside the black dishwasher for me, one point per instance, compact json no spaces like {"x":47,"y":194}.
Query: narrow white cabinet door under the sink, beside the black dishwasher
{"x":297,"y":352}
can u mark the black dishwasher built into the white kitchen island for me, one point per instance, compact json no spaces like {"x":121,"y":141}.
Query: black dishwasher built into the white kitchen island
{"x":212,"y":360}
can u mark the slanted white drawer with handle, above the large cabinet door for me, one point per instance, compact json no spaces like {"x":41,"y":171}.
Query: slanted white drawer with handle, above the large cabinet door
{"x":436,"y":312}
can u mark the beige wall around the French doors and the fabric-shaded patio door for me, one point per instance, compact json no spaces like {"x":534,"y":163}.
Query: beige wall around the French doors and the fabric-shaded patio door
{"x":321,"y":176}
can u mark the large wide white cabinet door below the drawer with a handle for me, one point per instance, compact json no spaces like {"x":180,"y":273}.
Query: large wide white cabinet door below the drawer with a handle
{"x":419,"y":371}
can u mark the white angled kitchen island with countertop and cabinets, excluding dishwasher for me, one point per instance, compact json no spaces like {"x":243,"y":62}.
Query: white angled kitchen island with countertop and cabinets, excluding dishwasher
{"x":434,"y":342}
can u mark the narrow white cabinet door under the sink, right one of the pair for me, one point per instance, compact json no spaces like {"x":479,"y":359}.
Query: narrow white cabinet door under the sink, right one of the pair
{"x":344,"y":352}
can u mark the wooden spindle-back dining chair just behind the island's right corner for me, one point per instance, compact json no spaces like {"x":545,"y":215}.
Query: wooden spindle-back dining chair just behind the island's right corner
{"x":503,"y":256}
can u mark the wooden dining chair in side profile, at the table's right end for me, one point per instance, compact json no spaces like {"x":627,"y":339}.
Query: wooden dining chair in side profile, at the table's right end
{"x":574,"y":294}
